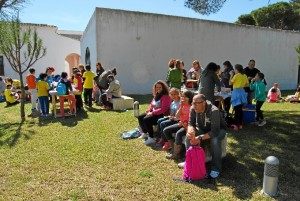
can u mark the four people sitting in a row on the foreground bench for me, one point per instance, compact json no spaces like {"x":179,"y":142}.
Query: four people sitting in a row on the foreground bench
{"x":183,"y":114}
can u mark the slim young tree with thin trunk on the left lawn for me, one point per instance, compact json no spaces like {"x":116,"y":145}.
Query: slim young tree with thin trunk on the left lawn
{"x":22,"y":48}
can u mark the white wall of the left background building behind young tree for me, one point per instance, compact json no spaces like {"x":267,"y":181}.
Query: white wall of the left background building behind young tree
{"x":58,"y":48}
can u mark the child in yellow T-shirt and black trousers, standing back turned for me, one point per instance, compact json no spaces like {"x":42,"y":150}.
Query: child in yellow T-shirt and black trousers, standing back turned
{"x":88,"y":85}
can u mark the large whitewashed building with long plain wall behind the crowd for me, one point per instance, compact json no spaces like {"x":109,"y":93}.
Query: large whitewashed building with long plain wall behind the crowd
{"x":140,"y":45}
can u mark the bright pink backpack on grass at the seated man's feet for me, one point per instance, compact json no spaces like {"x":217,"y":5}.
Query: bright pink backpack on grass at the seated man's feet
{"x":194,"y":167}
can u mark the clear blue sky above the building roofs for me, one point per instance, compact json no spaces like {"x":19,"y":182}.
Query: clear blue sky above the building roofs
{"x":75,"y":14}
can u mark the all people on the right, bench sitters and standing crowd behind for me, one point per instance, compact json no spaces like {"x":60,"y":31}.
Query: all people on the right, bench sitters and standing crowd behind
{"x":178,"y":112}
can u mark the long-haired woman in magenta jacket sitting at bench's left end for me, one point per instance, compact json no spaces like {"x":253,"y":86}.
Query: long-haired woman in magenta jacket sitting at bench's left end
{"x":158,"y":108}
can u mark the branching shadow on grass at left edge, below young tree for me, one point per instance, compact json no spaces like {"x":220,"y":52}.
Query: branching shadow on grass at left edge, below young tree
{"x":13,"y":139}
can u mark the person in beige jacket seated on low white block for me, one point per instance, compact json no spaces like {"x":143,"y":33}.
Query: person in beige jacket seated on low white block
{"x":113,"y":91}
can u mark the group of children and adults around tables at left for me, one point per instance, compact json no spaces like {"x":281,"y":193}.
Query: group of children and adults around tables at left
{"x":99,"y":87}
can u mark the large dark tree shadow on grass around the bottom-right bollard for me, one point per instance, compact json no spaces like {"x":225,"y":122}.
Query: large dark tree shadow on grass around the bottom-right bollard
{"x":280,"y":137}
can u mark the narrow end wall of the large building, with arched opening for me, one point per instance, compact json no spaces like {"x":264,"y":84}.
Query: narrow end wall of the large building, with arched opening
{"x":89,"y":39}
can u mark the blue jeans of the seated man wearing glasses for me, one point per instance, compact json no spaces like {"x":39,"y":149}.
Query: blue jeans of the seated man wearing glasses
{"x":215,"y":149}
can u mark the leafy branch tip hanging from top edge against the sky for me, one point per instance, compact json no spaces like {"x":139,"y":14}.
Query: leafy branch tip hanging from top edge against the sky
{"x":204,"y":7}
